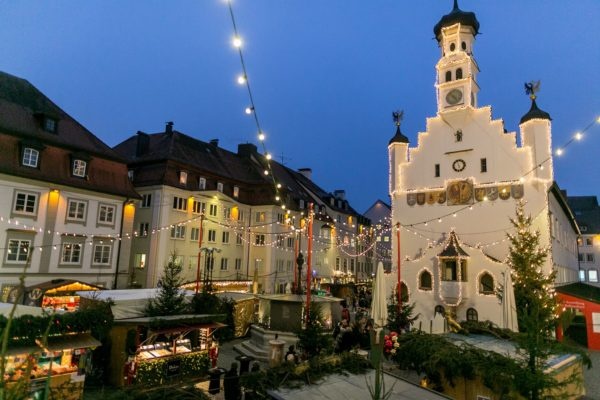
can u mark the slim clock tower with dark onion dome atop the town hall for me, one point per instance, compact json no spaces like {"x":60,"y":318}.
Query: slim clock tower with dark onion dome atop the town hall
{"x":456,"y":70}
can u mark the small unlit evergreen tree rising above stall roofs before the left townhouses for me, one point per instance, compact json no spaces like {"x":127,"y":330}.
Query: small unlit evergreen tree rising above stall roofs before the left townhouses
{"x":171,"y":298}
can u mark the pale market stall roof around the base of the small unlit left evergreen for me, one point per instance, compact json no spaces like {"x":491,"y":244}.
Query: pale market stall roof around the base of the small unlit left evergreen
{"x":127,"y":303}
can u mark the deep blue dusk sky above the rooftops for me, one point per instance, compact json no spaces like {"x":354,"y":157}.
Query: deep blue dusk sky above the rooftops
{"x":325,"y":75}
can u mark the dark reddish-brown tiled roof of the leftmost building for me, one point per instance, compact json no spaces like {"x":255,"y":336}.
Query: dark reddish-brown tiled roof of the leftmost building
{"x":23,"y":109}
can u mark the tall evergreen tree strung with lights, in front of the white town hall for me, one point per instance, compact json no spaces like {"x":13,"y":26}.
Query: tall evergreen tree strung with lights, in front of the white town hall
{"x":535,"y":302}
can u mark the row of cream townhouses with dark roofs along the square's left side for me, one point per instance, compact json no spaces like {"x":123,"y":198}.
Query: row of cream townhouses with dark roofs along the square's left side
{"x":74,"y":208}
